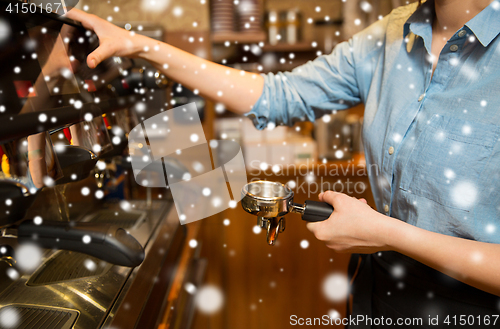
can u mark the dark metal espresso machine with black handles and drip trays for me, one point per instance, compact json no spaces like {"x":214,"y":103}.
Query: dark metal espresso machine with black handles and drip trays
{"x":70,"y":255}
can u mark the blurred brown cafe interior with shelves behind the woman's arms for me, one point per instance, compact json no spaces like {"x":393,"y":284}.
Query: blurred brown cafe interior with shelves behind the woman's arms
{"x":261,"y":286}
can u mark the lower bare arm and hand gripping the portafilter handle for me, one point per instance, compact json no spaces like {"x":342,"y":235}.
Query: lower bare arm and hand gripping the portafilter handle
{"x":355,"y":227}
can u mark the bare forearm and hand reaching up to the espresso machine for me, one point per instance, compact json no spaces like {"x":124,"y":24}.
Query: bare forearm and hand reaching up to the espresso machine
{"x":238,"y":90}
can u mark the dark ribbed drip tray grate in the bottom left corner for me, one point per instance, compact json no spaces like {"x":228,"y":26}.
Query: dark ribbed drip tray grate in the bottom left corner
{"x":38,"y":317}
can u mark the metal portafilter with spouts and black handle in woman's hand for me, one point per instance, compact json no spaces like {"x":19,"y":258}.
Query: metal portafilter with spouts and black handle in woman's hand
{"x":271,"y":200}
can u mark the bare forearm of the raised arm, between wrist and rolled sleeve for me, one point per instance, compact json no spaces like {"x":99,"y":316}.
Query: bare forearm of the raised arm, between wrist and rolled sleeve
{"x":238,"y":90}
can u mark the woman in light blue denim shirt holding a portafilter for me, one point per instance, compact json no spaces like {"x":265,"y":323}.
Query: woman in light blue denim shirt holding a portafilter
{"x":427,"y":75}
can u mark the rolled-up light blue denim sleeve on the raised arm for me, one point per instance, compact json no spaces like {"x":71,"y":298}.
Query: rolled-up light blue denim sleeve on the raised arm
{"x":330,"y":82}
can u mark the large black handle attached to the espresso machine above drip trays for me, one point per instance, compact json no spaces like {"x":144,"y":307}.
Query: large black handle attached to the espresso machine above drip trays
{"x":109,"y":243}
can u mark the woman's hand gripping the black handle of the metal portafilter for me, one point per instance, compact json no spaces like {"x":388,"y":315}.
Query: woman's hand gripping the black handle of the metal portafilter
{"x":353,"y":227}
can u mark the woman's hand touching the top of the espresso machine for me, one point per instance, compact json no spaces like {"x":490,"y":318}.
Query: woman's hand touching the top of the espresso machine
{"x":113,"y":40}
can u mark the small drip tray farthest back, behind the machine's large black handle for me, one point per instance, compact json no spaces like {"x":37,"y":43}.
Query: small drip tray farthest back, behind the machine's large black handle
{"x":120,"y":218}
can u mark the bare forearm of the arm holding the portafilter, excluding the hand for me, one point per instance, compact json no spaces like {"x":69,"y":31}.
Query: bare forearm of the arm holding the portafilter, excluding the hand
{"x":472,"y":262}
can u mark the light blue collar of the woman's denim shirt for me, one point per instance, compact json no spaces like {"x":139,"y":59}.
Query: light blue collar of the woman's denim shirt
{"x":485,"y":25}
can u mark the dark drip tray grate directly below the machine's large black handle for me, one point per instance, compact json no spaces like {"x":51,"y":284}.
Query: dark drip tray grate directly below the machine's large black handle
{"x":68,"y":265}
